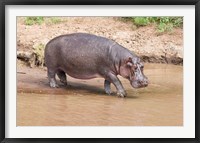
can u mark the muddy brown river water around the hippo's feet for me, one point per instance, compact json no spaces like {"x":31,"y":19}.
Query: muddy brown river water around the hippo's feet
{"x":84,"y":103}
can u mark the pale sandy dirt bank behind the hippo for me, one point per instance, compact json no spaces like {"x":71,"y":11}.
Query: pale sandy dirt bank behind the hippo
{"x":146,"y":42}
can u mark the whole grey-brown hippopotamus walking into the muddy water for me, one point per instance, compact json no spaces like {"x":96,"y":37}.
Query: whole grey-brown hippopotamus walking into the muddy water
{"x":86,"y":56}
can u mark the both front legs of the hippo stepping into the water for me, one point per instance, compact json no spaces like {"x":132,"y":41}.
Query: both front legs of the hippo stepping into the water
{"x":114,"y":79}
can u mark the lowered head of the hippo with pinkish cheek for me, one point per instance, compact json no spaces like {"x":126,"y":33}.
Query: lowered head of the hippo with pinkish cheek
{"x":132,"y":69}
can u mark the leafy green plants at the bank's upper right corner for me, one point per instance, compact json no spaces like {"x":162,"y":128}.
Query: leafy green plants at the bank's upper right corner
{"x":162,"y":23}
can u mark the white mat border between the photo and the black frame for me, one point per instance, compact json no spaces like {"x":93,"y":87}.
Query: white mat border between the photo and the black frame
{"x":187,"y":131}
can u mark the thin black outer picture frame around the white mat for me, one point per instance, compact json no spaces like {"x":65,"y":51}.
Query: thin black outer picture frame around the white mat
{"x":3,"y":4}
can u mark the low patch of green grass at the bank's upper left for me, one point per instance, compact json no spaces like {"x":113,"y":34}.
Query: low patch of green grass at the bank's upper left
{"x":32,"y":20}
